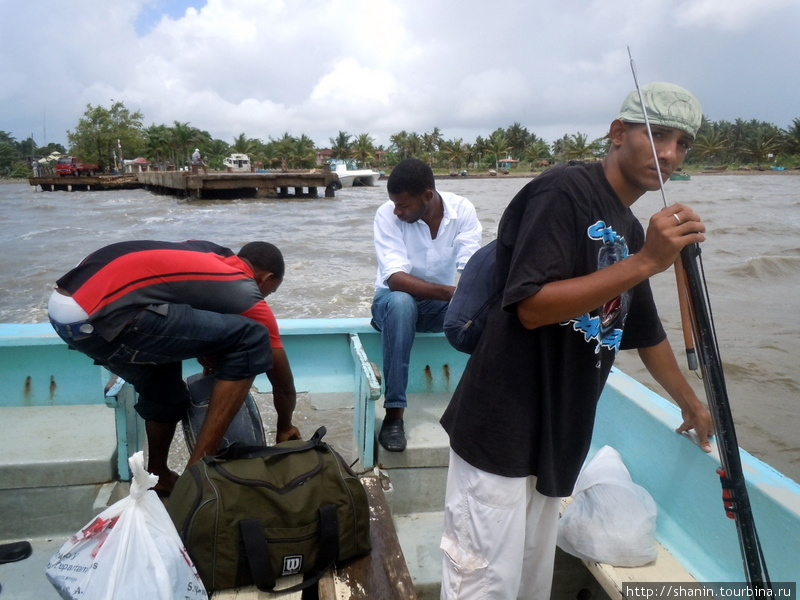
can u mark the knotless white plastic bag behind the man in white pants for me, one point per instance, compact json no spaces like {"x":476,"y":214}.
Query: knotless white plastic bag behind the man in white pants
{"x":610,"y":519}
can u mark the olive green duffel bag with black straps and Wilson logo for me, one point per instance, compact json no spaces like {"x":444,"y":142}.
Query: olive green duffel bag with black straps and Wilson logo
{"x":254,"y":514}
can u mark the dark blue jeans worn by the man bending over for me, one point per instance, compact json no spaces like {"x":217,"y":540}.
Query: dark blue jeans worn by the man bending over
{"x":149,"y":352}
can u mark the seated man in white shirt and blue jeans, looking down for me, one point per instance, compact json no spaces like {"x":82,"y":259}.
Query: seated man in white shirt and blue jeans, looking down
{"x":421,"y":238}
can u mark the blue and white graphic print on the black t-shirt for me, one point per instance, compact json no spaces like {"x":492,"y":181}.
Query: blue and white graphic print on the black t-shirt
{"x":605,"y":328}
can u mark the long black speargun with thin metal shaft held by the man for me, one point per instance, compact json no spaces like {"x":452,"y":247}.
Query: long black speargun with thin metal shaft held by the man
{"x":696,"y":304}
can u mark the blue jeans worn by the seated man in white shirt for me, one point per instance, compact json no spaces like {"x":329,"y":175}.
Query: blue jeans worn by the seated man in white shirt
{"x":398,"y":316}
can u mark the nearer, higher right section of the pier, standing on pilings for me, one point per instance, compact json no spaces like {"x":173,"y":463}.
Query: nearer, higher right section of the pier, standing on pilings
{"x":240,"y":185}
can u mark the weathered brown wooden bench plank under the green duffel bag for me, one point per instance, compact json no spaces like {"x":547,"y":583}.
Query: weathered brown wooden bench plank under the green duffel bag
{"x":380,"y":574}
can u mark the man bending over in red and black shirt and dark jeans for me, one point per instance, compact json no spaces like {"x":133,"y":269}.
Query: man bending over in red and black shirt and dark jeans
{"x":140,"y":308}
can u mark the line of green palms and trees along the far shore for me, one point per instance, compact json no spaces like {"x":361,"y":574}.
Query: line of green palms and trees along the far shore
{"x":105,"y":135}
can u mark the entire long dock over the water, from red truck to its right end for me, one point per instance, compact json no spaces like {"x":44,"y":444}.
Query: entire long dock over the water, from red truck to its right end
{"x":211,"y":185}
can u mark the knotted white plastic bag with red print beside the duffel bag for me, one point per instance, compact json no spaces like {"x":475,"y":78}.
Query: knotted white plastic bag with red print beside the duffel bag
{"x":131,"y":551}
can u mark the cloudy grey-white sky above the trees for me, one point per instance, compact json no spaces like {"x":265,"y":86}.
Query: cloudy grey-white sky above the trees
{"x":317,"y":67}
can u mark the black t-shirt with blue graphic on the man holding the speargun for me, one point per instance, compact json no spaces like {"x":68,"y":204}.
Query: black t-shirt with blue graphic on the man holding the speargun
{"x":526,"y":402}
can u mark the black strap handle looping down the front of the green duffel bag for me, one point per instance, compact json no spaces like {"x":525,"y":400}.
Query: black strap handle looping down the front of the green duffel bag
{"x":257,"y":551}
